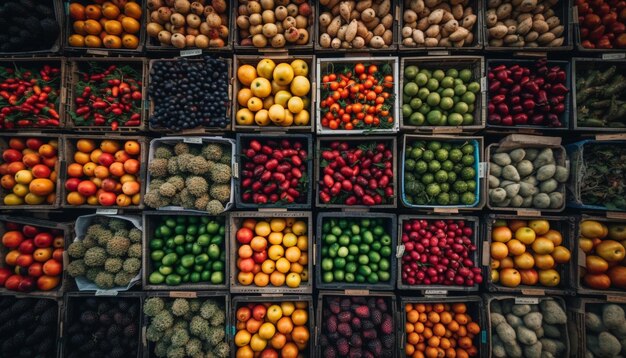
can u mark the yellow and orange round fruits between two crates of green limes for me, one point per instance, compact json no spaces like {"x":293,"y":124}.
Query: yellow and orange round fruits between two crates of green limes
{"x":272,"y":252}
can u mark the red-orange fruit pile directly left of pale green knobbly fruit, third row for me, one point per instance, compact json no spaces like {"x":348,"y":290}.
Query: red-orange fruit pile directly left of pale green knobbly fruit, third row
{"x":104,"y":173}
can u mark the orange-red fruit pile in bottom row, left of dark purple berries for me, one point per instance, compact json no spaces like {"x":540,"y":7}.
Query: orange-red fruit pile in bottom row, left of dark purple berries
{"x":272,"y":329}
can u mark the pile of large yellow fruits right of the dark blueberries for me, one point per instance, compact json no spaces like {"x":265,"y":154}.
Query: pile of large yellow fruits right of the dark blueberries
{"x":273,"y":93}
